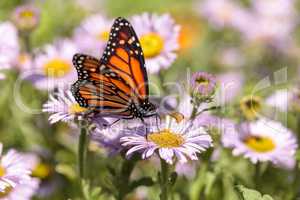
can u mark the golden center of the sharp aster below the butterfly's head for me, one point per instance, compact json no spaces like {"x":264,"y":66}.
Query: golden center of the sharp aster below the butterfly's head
{"x":166,"y":139}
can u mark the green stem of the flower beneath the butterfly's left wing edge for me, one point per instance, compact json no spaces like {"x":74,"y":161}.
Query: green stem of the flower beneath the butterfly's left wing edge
{"x":82,"y":143}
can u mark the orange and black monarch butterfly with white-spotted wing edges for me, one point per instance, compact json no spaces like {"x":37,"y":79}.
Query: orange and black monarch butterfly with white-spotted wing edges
{"x":117,"y":84}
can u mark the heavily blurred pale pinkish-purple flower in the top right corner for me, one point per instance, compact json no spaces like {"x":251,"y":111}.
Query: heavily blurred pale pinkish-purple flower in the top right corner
{"x":271,"y":22}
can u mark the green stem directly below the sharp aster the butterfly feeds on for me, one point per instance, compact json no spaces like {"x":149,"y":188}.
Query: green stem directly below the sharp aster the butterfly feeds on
{"x":164,"y":180}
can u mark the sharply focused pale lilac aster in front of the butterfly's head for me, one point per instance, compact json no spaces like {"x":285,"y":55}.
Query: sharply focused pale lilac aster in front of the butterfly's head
{"x":171,"y":139}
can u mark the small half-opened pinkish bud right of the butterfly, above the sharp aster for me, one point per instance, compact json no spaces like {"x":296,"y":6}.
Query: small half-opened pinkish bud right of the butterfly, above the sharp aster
{"x":203,"y":83}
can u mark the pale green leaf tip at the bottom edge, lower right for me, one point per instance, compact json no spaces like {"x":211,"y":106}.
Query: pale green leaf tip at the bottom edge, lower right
{"x":250,"y":194}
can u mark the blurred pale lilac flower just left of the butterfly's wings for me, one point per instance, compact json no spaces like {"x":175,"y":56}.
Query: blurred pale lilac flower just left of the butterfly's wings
{"x":53,"y":66}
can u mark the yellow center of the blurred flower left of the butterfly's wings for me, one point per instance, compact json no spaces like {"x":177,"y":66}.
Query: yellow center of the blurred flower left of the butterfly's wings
{"x":57,"y":67}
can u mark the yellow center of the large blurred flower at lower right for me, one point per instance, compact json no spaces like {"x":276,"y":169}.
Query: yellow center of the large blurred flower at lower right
{"x":260,"y":144}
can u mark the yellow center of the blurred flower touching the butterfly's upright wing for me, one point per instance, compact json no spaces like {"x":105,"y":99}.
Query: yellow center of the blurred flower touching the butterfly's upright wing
{"x":152,"y":44}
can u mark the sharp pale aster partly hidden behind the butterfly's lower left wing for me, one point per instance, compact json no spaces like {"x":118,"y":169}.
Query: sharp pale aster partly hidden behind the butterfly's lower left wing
{"x":63,"y":107}
